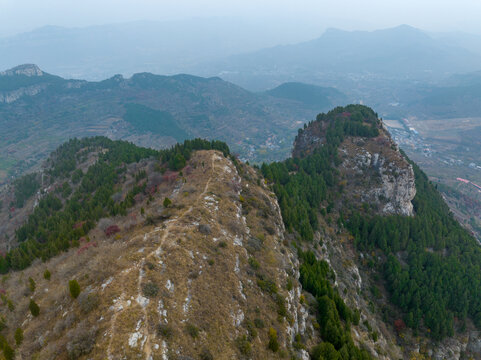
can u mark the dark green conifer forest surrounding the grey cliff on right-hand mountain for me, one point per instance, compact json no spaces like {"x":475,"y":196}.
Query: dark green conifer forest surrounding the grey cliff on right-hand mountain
{"x":429,"y":264}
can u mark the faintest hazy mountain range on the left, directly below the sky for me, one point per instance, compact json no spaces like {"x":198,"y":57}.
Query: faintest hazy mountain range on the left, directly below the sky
{"x":169,"y":47}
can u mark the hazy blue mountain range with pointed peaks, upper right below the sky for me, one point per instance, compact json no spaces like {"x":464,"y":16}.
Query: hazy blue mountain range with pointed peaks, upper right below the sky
{"x":398,"y":53}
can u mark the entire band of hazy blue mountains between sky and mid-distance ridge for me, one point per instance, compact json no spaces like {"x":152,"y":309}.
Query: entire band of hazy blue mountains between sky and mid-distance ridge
{"x":246,"y":53}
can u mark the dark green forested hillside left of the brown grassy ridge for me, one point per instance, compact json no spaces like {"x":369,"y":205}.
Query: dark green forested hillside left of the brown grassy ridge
{"x":67,"y":214}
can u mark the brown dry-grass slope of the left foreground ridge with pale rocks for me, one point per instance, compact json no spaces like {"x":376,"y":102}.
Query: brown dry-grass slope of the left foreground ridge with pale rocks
{"x":205,"y":274}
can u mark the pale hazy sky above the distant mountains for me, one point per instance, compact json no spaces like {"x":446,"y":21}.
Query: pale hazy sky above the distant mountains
{"x":438,"y":15}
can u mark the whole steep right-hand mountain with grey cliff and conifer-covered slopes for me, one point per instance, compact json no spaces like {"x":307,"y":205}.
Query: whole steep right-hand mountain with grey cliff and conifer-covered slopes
{"x":396,"y":249}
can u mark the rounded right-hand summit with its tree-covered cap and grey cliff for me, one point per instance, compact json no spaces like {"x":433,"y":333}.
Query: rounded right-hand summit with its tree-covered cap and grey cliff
{"x":372,"y":168}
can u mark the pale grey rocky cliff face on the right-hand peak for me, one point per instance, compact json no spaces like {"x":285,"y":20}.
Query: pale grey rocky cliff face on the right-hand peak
{"x":373,"y":169}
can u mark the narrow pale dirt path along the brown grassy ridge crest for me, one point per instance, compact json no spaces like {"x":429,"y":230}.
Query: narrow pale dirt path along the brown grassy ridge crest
{"x":121,"y":304}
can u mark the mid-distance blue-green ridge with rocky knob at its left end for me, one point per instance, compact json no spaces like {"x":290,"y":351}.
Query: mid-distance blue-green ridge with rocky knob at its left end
{"x":38,"y":111}
